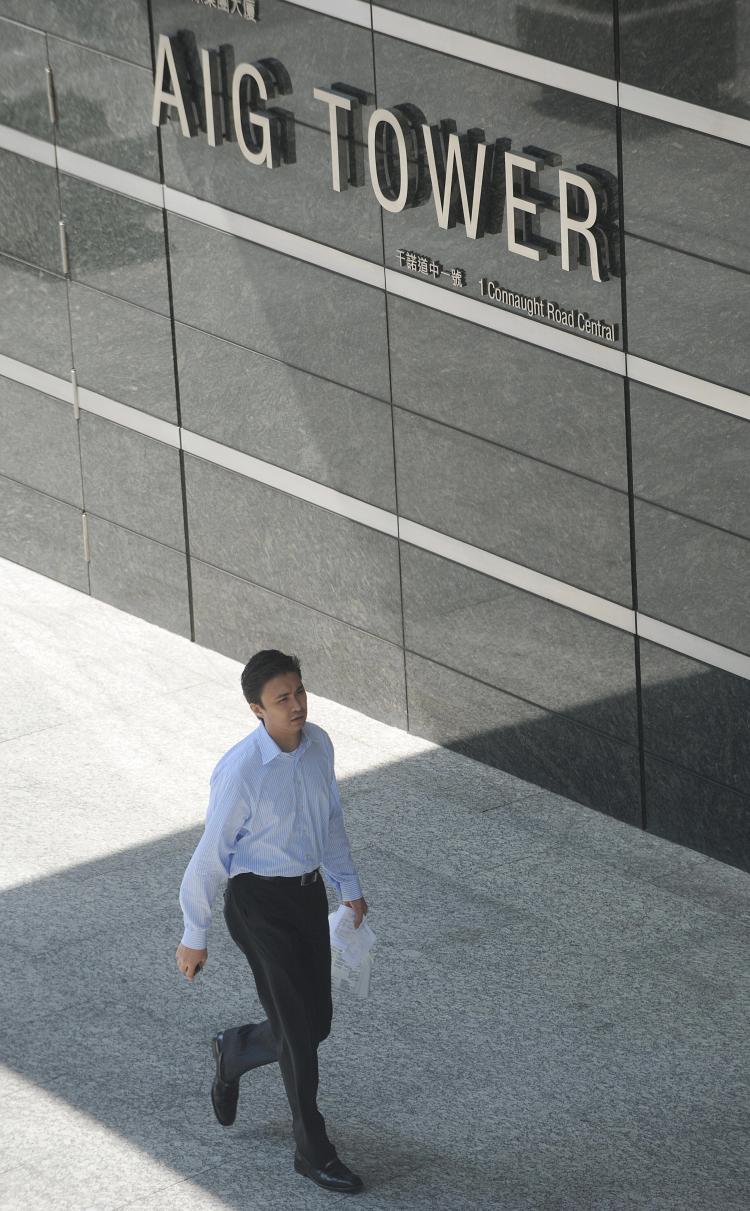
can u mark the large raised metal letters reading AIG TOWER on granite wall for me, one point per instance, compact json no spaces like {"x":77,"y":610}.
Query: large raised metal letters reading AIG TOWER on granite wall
{"x":483,"y":185}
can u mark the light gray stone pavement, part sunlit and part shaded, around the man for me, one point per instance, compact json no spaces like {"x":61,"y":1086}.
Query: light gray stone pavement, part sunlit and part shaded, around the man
{"x":560,"y":1012}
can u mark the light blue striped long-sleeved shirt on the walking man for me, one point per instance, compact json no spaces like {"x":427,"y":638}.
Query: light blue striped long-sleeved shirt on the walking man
{"x":271,"y":813}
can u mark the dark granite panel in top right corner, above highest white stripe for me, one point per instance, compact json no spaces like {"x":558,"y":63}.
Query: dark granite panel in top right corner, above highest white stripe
{"x":689,"y":49}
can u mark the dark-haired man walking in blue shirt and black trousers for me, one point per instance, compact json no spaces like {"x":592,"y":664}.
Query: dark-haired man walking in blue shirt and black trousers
{"x":274,"y":822}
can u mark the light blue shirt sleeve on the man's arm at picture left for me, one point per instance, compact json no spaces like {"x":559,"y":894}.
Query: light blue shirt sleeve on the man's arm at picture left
{"x":228,"y":811}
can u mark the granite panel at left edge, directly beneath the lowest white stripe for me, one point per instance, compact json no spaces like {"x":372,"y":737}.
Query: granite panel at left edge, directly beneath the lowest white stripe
{"x":39,"y":441}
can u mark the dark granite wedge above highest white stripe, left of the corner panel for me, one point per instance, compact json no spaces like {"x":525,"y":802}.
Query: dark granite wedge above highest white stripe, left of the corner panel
{"x":575,"y":32}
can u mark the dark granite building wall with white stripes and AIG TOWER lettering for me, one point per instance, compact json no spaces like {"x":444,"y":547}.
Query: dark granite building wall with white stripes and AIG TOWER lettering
{"x":411,"y":337}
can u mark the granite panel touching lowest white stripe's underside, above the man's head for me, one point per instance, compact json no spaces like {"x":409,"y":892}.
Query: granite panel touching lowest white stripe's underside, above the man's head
{"x":294,"y":548}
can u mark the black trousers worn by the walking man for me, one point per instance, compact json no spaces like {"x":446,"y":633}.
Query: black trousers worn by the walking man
{"x":283,"y":929}
